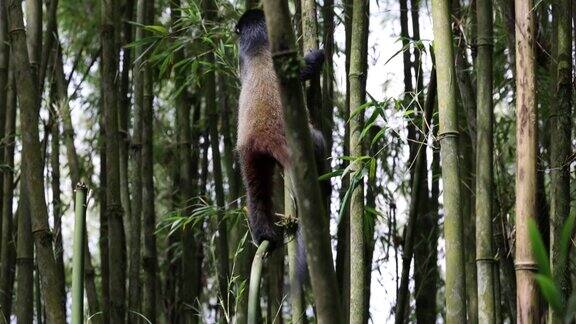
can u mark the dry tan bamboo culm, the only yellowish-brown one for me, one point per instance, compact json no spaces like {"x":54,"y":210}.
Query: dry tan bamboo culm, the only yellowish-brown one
{"x":526,"y":141}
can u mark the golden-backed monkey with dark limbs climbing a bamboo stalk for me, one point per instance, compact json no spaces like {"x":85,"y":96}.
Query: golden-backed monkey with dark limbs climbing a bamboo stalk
{"x":261,"y":143}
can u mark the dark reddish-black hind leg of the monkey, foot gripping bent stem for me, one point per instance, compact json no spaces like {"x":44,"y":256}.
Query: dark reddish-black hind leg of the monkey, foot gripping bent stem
{"x":258,"y":170}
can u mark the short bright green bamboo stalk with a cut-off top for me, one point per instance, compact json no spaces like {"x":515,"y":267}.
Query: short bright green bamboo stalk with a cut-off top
{"x":78,"y":257}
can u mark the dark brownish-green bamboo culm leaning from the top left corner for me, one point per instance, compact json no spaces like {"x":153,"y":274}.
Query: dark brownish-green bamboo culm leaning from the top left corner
{"x":32,"y":176}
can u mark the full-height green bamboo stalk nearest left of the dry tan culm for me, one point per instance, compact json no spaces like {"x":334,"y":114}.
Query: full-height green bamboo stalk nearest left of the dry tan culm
{"x":484,"y":161}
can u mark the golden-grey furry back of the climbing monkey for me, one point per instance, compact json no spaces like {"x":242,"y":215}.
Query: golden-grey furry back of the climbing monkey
{"x":260,"y":122}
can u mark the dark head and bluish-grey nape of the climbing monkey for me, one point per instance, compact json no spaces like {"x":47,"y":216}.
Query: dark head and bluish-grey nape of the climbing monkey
{"x":252,"y":33}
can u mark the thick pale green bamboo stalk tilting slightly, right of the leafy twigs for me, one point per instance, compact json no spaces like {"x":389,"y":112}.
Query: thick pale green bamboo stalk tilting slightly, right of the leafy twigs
{"x":448,"y":135}
